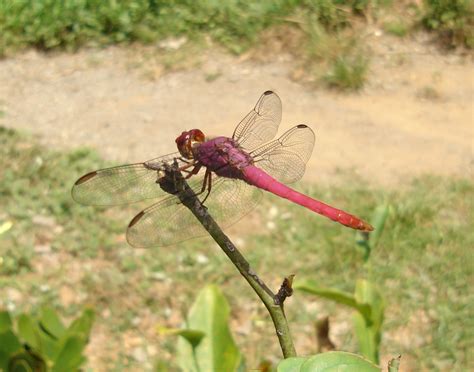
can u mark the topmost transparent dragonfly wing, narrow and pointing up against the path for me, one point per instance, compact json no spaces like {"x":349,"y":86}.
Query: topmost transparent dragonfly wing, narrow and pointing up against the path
{"x":261,"y":124}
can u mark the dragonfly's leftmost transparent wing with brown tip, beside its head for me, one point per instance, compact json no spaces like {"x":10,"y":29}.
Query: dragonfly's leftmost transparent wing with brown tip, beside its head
{"x":123,"y":184}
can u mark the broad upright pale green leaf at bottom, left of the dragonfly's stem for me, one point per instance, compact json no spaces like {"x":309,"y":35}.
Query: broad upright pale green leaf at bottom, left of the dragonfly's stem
{"x":217,"y":351}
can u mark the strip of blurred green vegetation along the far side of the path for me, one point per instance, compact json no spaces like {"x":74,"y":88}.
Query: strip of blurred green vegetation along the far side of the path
{"x":327,"y":33}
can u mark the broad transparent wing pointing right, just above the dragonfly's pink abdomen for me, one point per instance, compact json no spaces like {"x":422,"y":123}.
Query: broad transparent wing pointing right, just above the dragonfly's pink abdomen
{"x":285,"y":158}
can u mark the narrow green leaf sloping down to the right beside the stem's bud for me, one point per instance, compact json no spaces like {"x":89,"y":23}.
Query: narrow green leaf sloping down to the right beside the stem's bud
{"x":336,"y":295}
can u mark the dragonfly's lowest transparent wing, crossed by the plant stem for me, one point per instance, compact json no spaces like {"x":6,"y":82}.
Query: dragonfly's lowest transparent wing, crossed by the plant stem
{"x":169,"y":222}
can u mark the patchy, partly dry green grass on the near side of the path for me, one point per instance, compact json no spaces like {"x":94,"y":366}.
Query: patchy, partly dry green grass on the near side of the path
{"x":421,"y":263}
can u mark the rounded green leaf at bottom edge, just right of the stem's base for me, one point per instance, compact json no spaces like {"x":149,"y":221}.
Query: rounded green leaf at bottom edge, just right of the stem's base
{"x":338,"y":361}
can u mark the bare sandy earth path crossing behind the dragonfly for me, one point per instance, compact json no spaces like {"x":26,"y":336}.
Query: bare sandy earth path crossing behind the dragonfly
{"x":415,"y":116}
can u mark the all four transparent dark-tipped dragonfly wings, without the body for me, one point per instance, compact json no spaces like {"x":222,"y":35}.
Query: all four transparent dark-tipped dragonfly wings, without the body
{"x":168,"y":222}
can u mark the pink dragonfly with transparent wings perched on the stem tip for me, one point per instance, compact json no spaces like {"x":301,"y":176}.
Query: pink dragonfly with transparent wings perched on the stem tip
{"x":228,"y":174}
